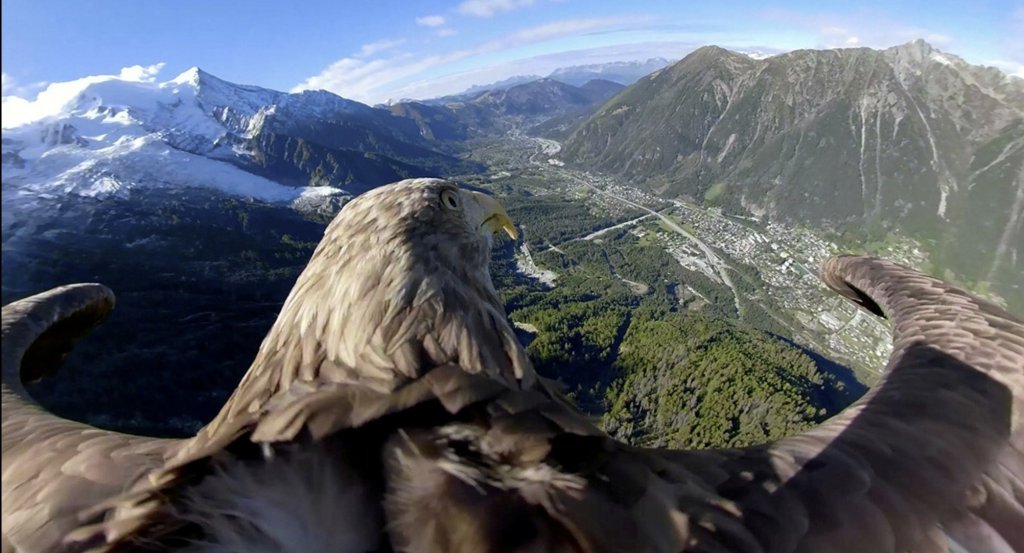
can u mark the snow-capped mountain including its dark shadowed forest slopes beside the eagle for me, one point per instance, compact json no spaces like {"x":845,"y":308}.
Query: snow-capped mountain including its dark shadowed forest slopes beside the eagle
{"x":199,"y":202}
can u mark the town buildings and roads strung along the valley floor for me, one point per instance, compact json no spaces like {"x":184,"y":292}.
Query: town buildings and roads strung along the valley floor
{"x":769,"y":272}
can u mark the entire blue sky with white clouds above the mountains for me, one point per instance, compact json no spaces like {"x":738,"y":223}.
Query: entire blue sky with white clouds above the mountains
{"x":378,"y":51}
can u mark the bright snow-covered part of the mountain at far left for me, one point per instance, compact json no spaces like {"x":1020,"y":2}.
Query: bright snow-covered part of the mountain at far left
{"x":106,"y":136}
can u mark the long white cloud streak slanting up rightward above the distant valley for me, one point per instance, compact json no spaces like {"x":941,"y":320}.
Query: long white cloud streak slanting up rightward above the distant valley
{"x":377,"y":80}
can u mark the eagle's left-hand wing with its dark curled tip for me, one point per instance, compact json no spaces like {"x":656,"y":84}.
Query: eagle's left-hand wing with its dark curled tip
{"x":53,"y":467}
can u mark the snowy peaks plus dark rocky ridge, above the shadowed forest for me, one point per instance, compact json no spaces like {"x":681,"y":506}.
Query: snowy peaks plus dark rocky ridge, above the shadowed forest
{"x":107,"y":136}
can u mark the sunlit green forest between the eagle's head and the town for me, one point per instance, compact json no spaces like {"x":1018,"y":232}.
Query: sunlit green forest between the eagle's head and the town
{"x":614,"y":330}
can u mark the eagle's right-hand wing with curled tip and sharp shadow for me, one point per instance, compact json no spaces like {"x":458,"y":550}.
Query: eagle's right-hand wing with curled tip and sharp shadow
{"x":933,"y":449}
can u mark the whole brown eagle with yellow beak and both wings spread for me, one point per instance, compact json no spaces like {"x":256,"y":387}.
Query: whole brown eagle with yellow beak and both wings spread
{"x":392,"y":408}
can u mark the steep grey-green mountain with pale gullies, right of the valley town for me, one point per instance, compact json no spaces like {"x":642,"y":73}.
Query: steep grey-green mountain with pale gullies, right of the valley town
{"x":862,"y":141}
